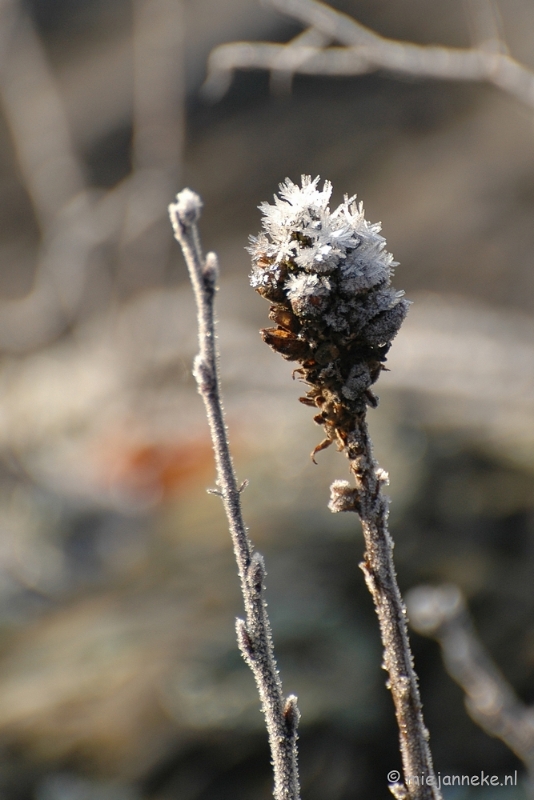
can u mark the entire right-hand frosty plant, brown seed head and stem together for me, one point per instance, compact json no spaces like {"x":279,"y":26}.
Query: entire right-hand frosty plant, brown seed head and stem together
{"x":327,"y":276}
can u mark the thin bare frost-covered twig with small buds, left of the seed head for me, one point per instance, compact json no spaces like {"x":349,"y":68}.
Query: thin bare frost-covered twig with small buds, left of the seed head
{"x":253,"y":635}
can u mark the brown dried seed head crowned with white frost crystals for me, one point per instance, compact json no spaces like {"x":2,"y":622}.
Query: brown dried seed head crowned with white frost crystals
{"x":328,"y":277}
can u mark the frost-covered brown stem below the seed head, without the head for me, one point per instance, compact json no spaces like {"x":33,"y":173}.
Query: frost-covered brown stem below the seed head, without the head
{"x":372,"y":506}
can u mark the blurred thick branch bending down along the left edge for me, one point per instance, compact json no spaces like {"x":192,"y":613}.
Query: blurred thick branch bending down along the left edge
{"x":54,"y":179}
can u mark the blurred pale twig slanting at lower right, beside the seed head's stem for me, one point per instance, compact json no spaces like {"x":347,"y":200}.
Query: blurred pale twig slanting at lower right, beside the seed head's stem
{"x":441,"y":613}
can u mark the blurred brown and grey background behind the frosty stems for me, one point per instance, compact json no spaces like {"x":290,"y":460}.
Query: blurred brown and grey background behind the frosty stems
{"x":120,"y":677}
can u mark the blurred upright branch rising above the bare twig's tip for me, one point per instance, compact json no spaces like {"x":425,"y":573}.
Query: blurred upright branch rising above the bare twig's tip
{"x":158,"y":132}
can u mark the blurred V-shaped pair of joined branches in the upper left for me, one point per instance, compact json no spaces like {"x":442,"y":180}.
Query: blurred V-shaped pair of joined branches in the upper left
{"x":75,"y":220}
